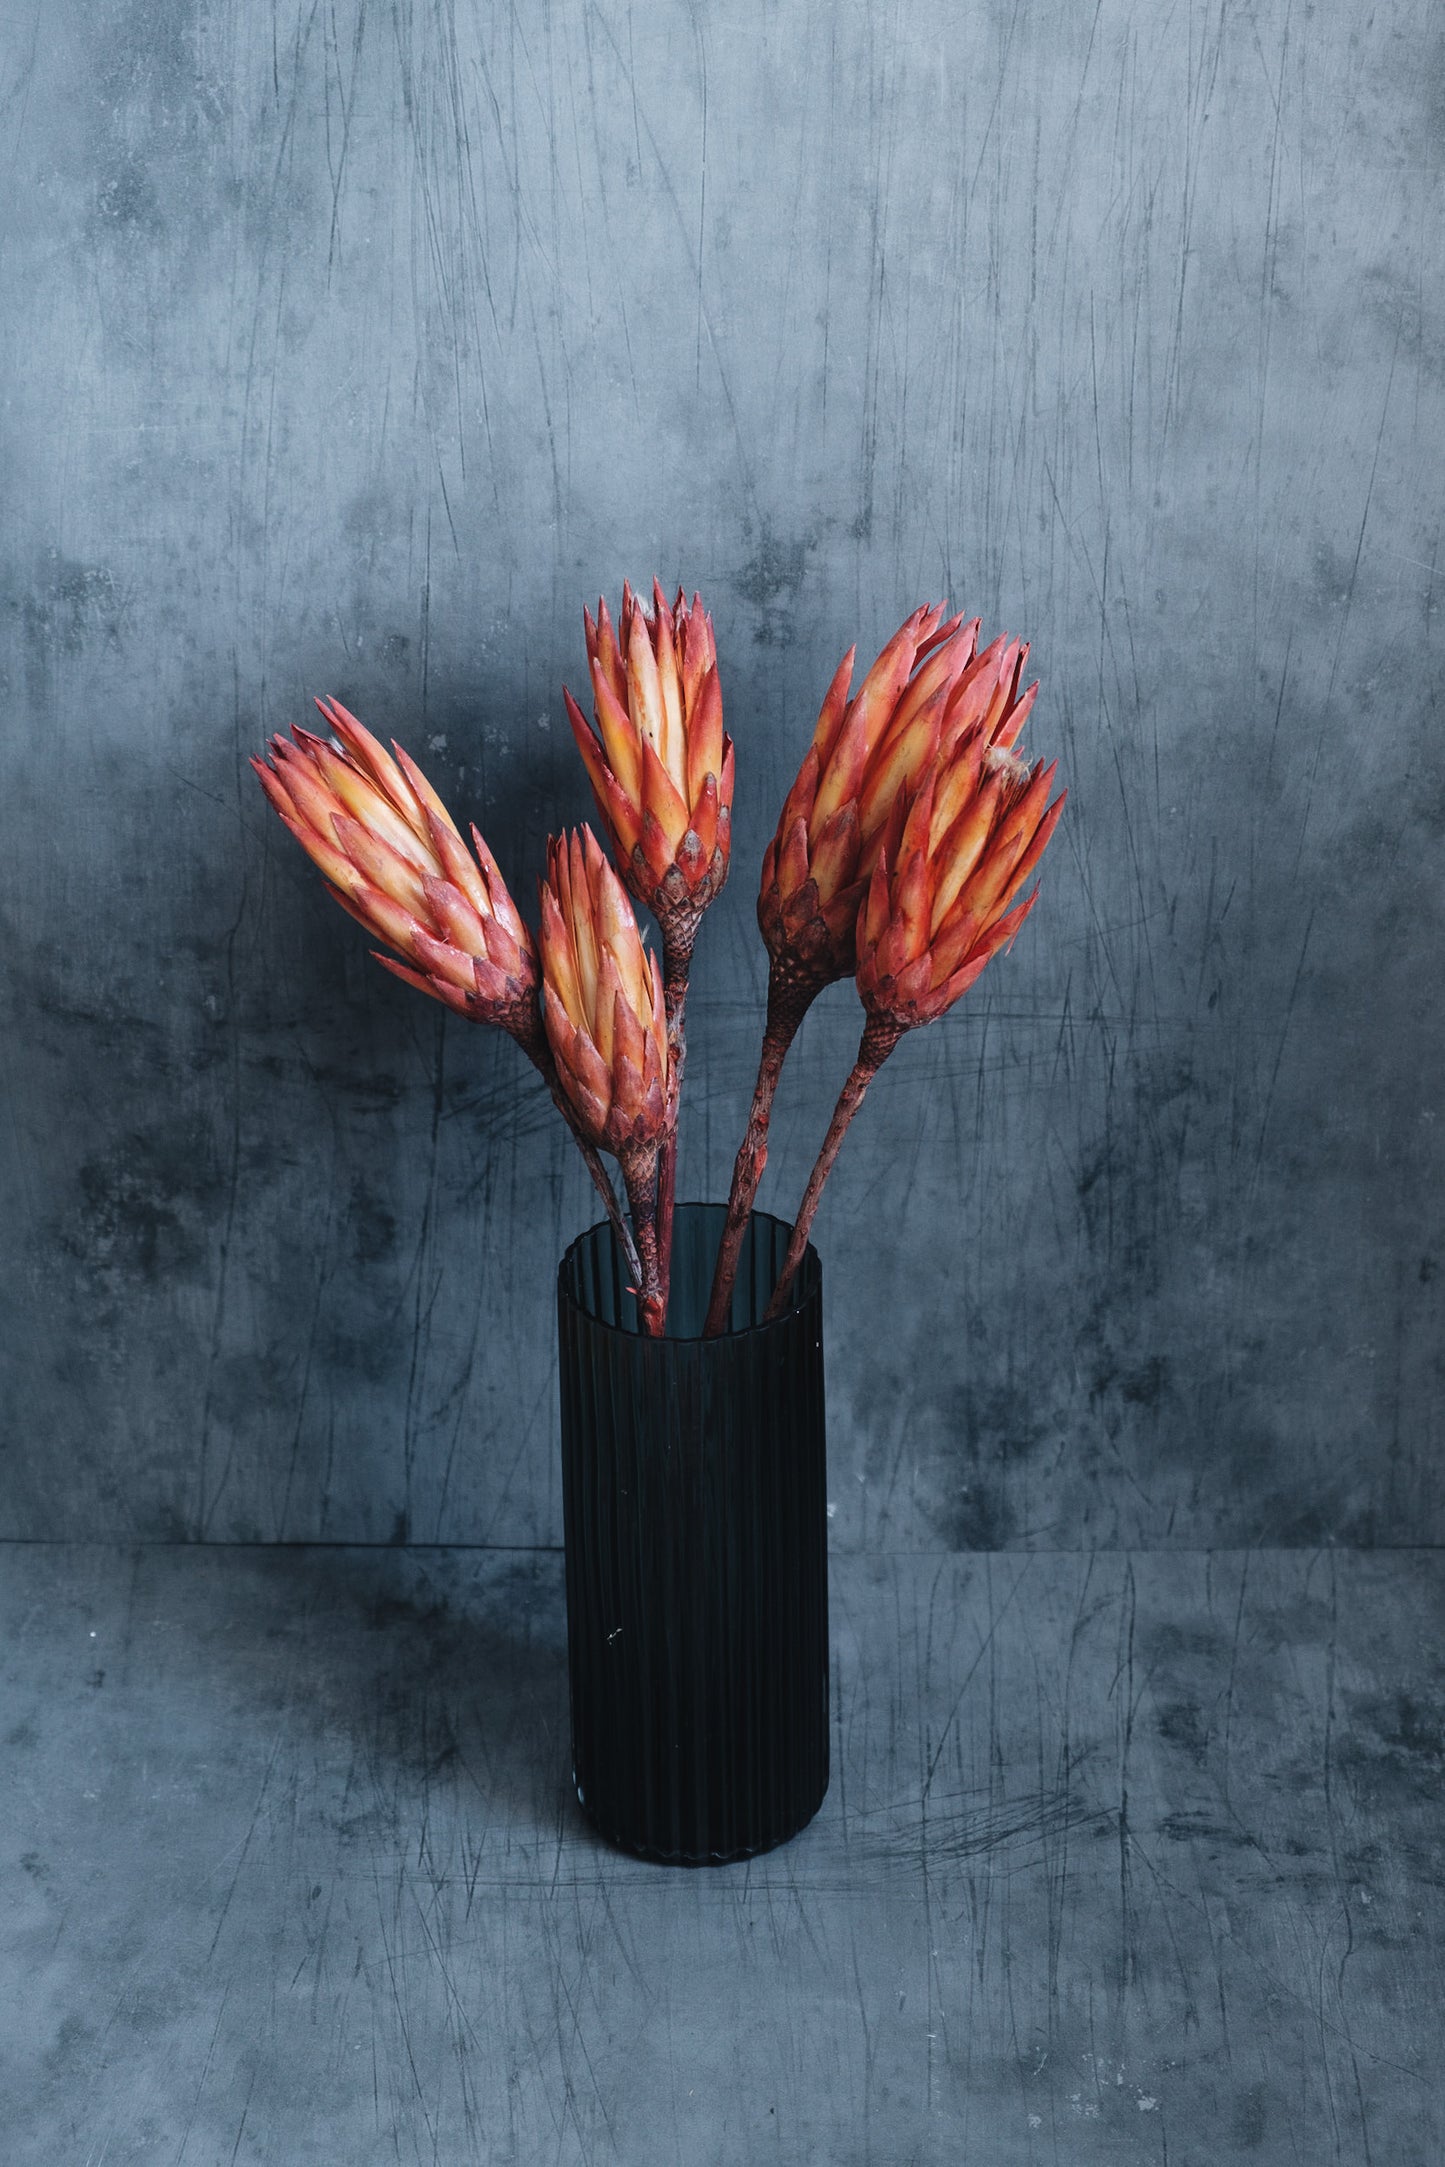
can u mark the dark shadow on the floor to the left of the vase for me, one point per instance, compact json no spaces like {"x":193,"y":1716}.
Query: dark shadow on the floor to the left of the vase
{"x":432,"y":1683}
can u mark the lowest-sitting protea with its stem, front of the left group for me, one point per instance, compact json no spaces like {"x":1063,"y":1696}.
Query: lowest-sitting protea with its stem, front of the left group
{"x":606,"y":1022}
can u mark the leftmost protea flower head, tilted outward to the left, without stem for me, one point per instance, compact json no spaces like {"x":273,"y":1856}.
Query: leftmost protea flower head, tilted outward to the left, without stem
{"x":393,"y":857}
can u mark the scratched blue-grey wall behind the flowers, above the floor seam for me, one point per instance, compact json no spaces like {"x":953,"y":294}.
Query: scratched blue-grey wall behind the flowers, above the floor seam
{"x":354,"y":350}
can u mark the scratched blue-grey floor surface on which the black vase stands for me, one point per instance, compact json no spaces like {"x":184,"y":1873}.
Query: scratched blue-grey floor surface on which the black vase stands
{"x":1125,"y":1858}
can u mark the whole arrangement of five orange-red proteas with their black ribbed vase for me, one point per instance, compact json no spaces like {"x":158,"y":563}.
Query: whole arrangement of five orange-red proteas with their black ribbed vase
{"x":694,"y":1483}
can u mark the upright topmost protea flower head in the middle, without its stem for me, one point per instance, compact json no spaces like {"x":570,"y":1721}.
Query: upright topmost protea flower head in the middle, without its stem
{"x":660,"y":757}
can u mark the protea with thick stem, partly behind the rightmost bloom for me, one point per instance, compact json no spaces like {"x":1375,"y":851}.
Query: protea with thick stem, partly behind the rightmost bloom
{"x":928,"y":692}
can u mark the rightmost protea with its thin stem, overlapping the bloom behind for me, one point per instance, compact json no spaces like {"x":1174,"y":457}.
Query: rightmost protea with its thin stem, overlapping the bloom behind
{"x":943,"y":900}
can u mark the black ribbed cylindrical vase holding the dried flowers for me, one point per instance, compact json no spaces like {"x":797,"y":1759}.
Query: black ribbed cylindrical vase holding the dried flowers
{"x":697,"y":1522}
